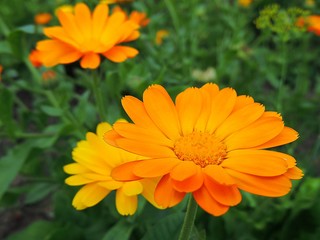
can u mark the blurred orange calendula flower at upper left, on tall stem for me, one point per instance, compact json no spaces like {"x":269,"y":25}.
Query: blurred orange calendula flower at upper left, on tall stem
{"x":85,"y":35}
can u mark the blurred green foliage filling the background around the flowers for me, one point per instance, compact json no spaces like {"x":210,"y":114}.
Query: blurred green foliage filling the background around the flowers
{"x":41,"y":120}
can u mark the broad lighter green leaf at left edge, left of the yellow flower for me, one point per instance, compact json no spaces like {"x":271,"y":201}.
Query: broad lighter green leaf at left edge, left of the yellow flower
{"x":11,"y":164}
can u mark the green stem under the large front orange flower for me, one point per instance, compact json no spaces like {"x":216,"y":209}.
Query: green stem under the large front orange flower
{"x":188,"y":219}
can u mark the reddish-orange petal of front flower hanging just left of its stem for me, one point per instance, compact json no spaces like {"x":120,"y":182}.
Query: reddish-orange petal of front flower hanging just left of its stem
{"x":165,"y":195}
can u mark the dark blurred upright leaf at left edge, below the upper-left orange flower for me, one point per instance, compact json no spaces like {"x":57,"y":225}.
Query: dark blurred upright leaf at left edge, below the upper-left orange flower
{"x":6,"y":107}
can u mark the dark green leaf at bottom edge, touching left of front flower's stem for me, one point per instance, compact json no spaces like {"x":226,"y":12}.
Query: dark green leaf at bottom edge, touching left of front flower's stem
{"x":166,"y":228}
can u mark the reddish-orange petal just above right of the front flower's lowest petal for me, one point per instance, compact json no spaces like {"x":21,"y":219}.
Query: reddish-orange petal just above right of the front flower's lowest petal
{"x":226,"y":195}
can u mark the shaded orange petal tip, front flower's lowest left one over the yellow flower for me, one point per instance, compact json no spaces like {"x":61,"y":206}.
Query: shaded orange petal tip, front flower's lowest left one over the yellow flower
{"x":124,"y":172}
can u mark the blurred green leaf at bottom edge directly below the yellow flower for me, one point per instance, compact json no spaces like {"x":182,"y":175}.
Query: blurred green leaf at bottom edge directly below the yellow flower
{"x":122,"y":230}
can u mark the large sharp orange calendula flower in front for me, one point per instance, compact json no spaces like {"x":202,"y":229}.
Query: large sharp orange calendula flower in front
{"x":209,"y":142}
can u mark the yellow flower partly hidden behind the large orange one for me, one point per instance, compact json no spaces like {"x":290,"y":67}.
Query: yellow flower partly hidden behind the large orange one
{"x":94,"y":161}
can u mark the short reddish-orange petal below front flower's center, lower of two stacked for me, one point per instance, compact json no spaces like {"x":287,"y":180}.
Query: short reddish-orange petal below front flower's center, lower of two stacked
{"x":190,"y":184}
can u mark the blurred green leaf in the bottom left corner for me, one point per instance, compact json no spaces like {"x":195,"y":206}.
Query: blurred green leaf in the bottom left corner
{"x":37,"y":230}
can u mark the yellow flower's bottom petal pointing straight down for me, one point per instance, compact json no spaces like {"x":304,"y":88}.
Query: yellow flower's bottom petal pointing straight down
{"x":126,"y":205}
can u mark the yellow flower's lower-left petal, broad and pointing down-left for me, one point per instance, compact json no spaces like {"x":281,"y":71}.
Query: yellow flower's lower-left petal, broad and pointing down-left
{"x":88,"y":196}
